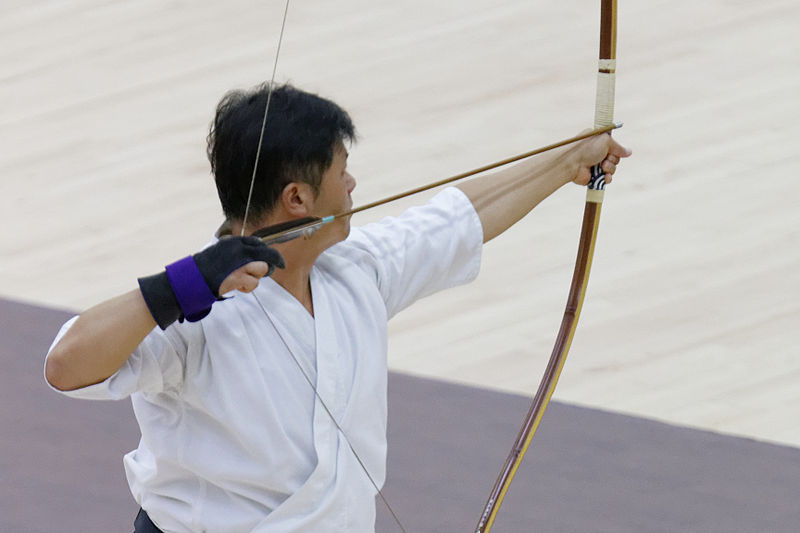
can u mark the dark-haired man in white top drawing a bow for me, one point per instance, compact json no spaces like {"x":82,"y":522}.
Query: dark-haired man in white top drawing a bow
{"x":234,"y":436}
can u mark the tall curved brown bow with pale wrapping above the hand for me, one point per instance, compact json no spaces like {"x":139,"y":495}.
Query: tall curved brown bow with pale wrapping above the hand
{"x":604,"y":115}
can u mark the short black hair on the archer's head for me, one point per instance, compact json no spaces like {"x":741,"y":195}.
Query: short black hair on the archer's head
{"x":300,"y":136}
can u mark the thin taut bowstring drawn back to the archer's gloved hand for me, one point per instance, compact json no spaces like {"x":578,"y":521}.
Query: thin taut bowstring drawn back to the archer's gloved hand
{"x":294,"y":358}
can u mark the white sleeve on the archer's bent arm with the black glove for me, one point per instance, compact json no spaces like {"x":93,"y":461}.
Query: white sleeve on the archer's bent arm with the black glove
{"x":155,"y":366}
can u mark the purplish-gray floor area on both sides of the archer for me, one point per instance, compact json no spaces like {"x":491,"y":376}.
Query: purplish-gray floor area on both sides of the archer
{"x":587,"y":470}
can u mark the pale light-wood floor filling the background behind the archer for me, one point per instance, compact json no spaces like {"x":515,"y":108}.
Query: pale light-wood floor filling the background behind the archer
{"x":693,"y":305}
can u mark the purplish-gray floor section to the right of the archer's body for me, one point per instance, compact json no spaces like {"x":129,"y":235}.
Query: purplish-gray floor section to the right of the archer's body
{"x":586,"y":471}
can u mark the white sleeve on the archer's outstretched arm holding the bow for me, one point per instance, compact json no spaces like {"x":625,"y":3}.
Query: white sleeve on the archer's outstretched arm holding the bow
{"x":426,"y":249}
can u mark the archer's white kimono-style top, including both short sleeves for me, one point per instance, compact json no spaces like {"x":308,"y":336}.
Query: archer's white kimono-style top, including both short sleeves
{"x":233,"y":437}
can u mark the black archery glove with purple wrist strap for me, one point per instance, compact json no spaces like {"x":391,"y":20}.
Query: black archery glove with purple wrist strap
{"x":188,"y":287}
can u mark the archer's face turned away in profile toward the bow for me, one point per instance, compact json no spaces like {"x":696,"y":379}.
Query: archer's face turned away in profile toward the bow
{"x":334,"y":194}
